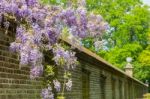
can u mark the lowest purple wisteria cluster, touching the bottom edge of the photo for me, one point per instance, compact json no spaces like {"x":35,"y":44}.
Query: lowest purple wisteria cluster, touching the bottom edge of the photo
{"x":47,"y":93}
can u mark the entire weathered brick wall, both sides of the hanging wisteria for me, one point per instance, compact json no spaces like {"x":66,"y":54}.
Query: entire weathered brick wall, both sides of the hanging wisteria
{"x":16,"y":84}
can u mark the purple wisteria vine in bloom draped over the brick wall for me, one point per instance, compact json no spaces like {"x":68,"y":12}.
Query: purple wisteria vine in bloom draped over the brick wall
{"x":38,"y":29}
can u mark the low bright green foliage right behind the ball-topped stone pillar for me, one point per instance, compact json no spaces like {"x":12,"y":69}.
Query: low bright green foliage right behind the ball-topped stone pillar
{"x":117,"y":56}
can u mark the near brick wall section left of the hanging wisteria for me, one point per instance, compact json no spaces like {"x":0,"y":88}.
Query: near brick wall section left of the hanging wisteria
{"x":15,"y":82}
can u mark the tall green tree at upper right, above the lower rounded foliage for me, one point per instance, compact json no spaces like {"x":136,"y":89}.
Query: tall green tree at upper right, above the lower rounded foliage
{"x":127,"y":18}
